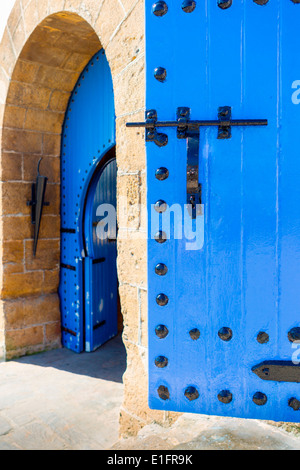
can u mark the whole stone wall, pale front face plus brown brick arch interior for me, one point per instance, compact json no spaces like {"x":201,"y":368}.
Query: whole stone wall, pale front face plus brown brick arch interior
{"x":45,"y":46}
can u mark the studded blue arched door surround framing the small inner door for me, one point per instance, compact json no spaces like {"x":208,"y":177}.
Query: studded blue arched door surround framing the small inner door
{"x":88,"y":134}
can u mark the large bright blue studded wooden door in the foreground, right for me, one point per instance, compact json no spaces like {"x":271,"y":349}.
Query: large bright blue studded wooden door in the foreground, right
{"x":224,"y":313}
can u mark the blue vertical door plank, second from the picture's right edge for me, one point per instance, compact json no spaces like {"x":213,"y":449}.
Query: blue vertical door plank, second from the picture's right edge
{"x":259,"y":208}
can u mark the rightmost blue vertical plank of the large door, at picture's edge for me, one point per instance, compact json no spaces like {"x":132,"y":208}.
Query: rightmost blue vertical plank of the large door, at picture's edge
{"x":288,"y":194}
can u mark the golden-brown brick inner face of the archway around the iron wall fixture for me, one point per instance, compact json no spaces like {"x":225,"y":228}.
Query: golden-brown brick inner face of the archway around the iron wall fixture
{"x":45,"y":74}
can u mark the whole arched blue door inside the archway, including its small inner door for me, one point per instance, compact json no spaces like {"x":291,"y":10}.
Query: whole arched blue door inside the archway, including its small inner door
{"x":88,"y":280}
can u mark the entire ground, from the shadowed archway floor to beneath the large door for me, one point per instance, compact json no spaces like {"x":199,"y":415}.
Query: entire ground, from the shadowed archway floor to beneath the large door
{"x":61,"y":400}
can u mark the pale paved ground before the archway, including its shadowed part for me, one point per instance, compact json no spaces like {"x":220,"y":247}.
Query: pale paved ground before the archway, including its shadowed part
{"x":61,"y":400}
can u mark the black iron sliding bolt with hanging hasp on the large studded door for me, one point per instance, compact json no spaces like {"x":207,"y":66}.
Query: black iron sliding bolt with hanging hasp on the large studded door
{"x":190,"y":130}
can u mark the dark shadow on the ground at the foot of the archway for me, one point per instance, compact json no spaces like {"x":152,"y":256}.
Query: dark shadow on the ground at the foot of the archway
{"x":107,"y":363}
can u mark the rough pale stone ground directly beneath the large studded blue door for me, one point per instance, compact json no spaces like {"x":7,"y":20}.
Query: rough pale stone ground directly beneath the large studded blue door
{"x":196,"y":432}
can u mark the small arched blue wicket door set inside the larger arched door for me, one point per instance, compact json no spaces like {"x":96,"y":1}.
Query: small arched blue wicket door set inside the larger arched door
{"x":101,"y":285}
